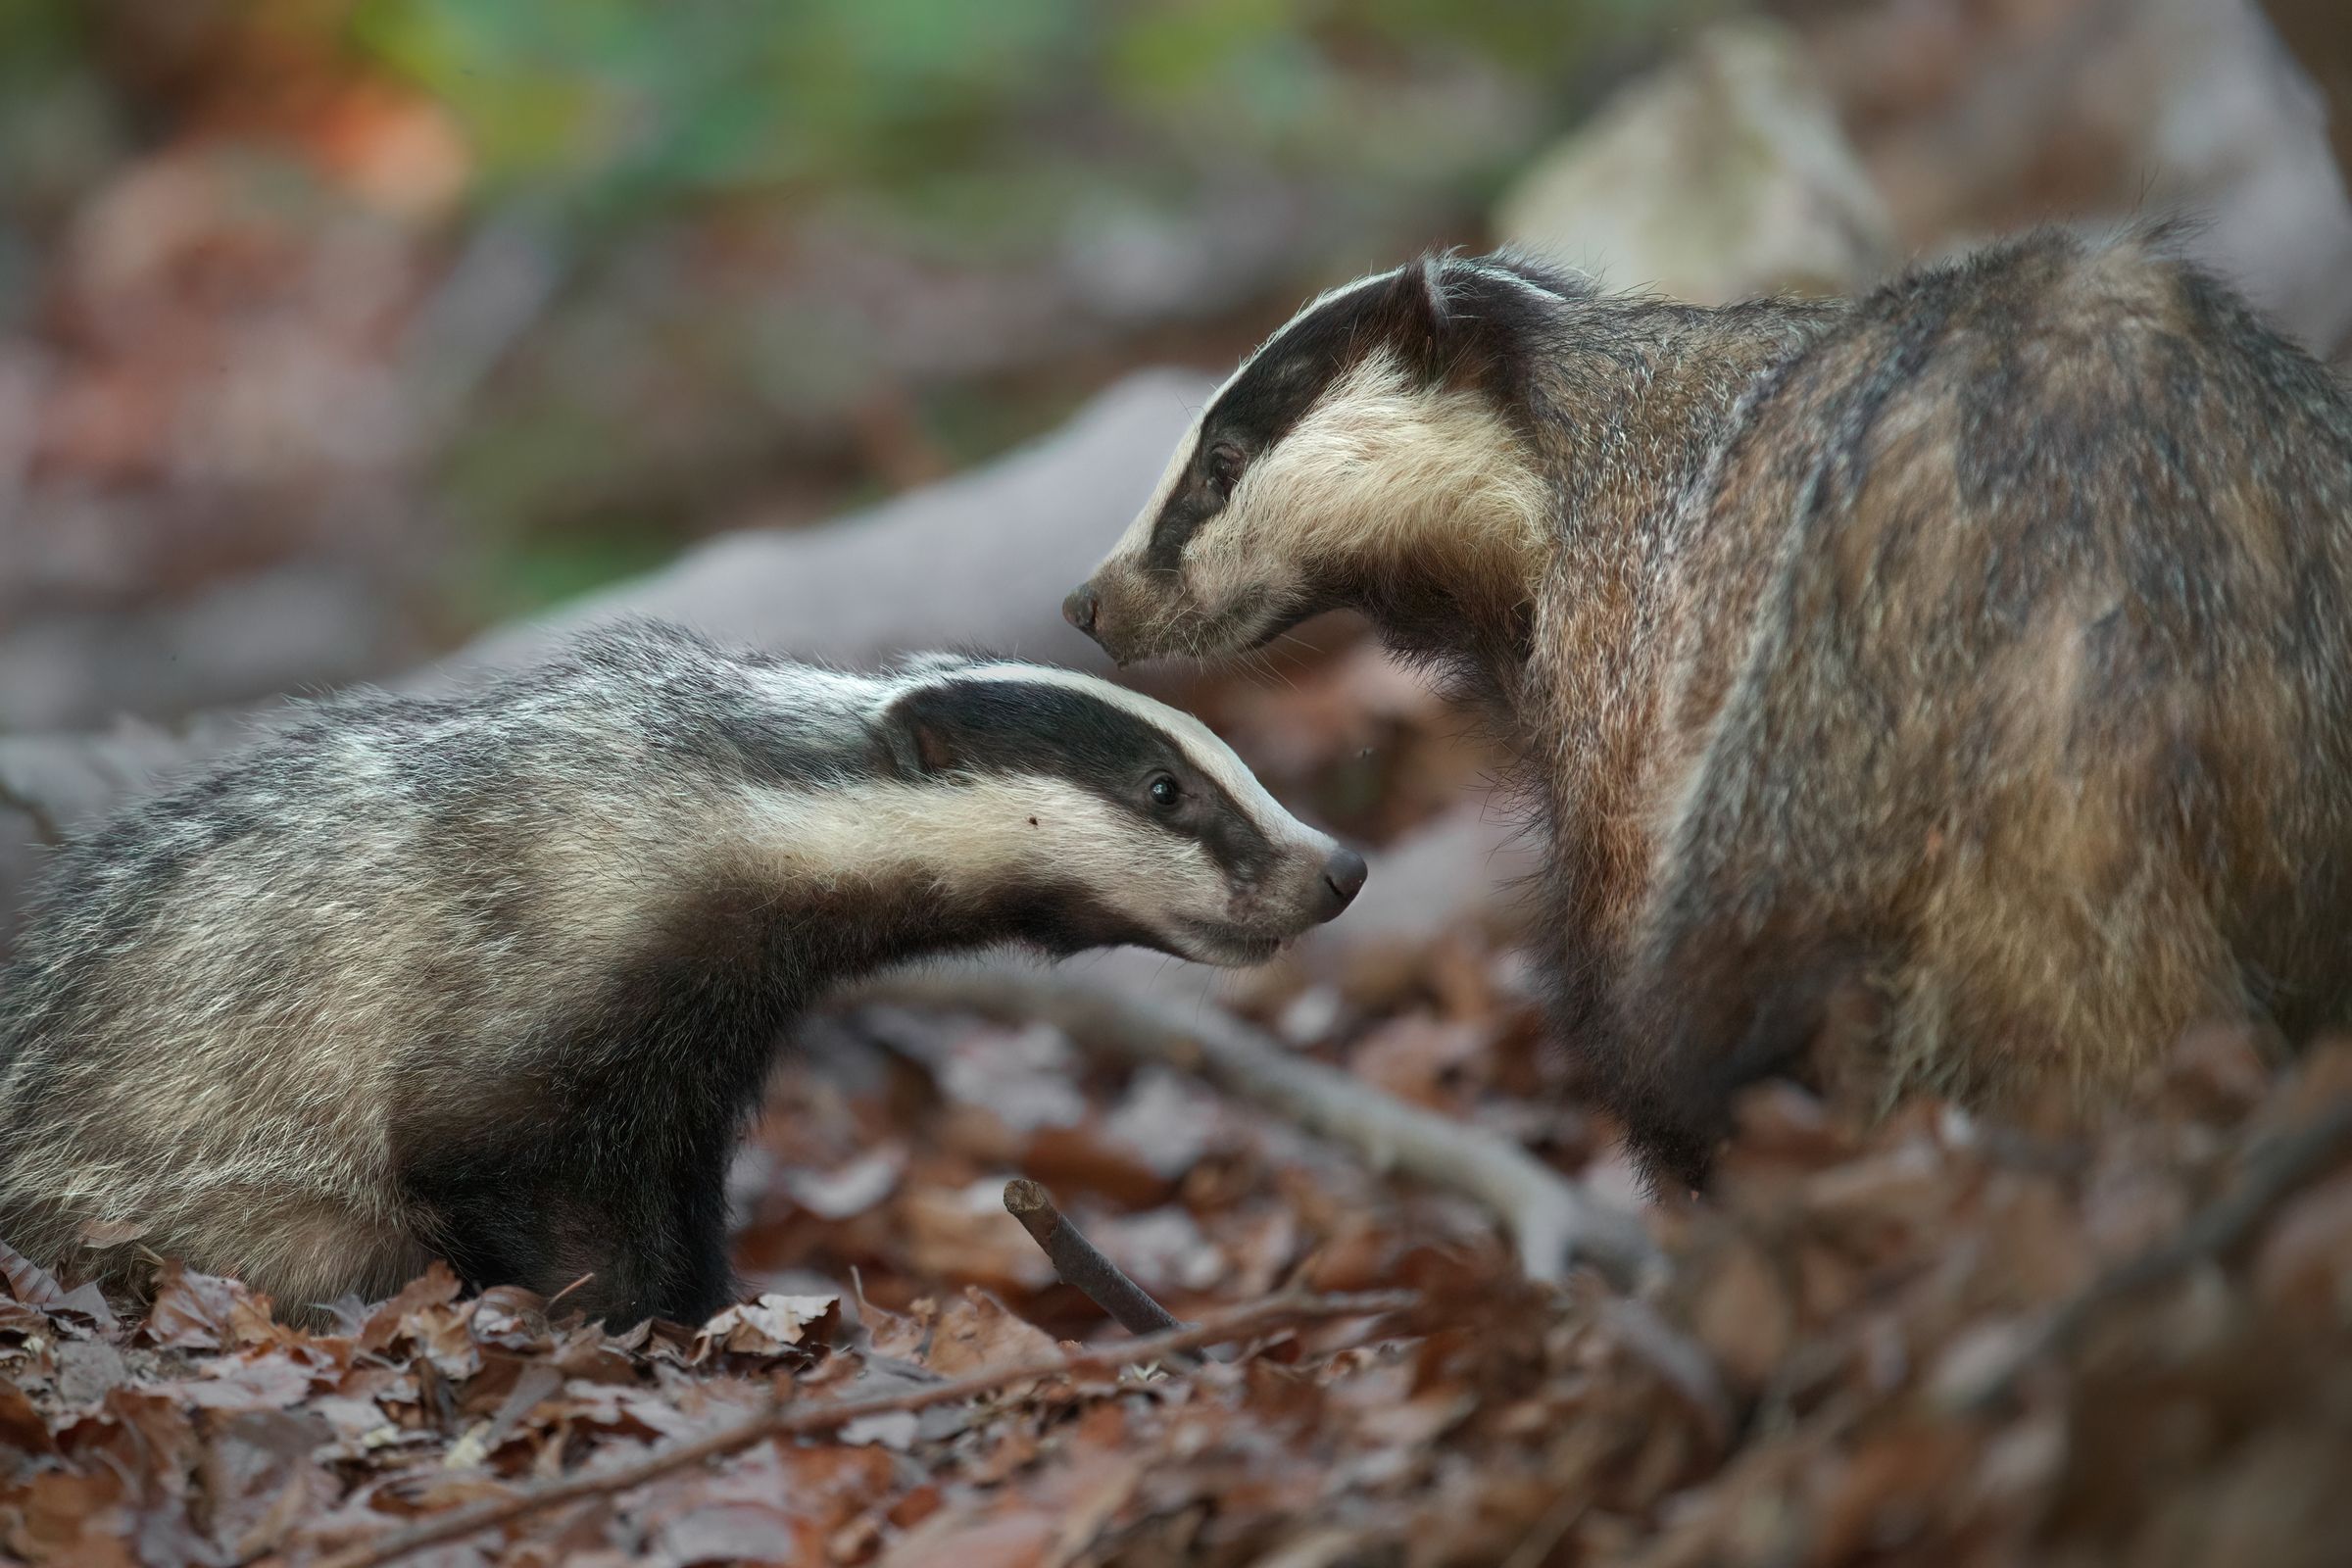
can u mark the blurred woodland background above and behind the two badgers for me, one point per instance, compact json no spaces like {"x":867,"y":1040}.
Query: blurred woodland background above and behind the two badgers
{"x":338,"y":333}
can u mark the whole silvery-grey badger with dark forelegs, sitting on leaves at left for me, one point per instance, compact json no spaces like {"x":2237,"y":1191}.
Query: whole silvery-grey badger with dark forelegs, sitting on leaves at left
{"x":497,"y":977}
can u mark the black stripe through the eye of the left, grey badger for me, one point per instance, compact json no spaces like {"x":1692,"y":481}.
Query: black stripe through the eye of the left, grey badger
{"x":1022,"y":728}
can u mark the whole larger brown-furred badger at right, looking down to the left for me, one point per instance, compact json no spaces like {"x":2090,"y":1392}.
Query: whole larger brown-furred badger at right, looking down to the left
{"x":1958,"y":674}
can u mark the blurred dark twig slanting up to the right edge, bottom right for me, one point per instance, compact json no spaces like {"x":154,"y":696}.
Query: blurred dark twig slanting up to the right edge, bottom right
{"x":2273,"y":1172}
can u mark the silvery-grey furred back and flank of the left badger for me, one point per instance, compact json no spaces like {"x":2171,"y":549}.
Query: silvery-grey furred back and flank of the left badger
{"x":241,"y":993}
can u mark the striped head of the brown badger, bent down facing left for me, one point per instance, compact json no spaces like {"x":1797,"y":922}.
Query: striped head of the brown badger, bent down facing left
{"x":1368,"y":457}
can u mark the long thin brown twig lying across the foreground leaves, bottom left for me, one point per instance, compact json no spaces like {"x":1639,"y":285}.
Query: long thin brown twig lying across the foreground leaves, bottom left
{"x":1250,"y":1322}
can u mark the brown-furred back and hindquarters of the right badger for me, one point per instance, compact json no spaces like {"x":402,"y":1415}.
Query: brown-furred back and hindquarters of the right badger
{"x":2000,"y":678}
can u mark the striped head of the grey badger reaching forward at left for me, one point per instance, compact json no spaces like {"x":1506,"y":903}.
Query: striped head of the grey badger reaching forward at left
{"x":1074,"y":815}
